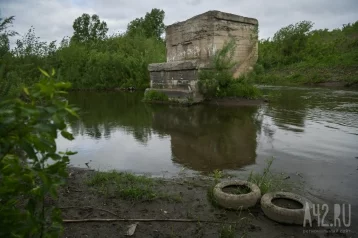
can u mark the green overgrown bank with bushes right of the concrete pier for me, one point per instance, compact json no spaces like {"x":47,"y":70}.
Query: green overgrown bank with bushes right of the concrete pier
{"x":296,"y":54}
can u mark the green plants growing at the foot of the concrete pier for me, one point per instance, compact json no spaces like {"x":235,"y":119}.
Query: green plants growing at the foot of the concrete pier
{"x":218,"y":82}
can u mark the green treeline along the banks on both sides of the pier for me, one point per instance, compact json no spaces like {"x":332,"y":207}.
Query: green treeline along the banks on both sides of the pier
{"x":90,"y":59}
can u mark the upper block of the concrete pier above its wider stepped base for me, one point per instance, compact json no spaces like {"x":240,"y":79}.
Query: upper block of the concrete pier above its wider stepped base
{"x":201,"y":36}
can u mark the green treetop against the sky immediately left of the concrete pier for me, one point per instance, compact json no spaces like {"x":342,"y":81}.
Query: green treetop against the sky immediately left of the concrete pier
{"x":151,"y":25}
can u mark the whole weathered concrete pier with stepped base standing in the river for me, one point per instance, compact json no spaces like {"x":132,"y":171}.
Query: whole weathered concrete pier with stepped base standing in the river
{"x":191,"y":44}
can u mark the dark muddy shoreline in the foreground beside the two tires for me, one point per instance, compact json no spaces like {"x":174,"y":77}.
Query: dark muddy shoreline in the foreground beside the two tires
{"x":78,"y":200}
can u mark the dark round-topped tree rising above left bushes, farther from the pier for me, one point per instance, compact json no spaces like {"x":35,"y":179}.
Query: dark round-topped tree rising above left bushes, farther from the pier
{"x":89,"y":28}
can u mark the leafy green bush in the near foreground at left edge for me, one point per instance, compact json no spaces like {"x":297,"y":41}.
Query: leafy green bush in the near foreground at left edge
{"x":31,"y":168}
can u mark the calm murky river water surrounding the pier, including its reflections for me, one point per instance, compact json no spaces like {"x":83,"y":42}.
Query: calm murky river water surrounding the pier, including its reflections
{"x":311,"y":132}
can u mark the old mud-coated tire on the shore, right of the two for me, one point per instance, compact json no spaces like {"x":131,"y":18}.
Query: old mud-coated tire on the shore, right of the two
{"x":285,"y":215}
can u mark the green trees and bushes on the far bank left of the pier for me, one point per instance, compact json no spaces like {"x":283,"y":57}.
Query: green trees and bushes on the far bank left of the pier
{"x":90,"y":59}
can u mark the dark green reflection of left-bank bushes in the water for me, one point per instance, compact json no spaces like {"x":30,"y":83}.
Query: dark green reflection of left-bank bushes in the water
{"x":101,"y":113}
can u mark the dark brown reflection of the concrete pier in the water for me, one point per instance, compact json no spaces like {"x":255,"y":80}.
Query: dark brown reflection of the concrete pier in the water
{"x":204,"y":139}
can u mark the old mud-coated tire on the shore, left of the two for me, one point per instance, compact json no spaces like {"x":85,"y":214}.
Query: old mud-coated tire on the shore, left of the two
{"x":236,"y":201}
